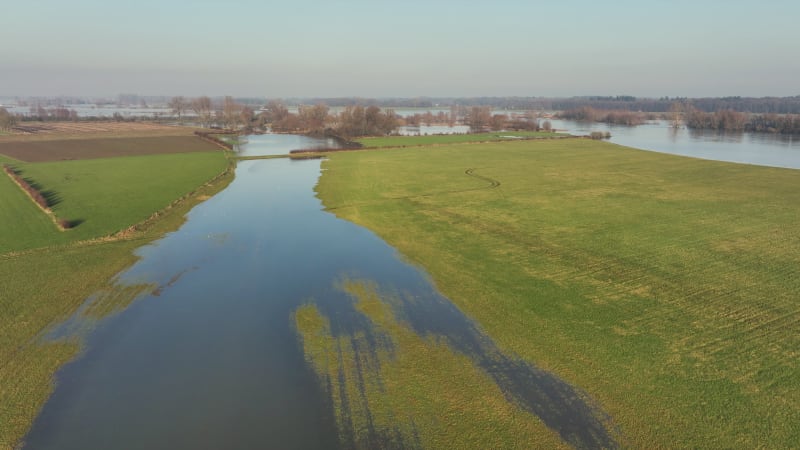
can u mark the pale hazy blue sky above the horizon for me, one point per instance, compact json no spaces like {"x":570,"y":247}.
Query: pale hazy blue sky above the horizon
{"x":411,"y":48}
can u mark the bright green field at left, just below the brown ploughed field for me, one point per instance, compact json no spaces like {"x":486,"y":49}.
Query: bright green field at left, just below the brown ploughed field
{"x":103,"y":196}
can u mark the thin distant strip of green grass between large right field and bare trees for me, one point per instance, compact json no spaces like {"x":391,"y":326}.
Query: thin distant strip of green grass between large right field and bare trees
{"x":440,"y":139}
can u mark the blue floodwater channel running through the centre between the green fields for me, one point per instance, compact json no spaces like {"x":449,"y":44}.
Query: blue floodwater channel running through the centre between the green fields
{"x":208,"y":355}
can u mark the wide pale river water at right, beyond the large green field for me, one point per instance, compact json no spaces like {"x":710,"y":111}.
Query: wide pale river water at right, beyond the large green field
{"x":762,"y":149}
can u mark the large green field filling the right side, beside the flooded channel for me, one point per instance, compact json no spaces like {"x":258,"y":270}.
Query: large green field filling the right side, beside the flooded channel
{"x":665,"y":287}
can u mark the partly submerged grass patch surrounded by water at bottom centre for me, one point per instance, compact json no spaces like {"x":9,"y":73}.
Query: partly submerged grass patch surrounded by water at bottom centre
{"x":412,"y":391}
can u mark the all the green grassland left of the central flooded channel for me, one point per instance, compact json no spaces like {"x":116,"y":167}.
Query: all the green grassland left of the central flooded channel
{"x":48,"y":273}
